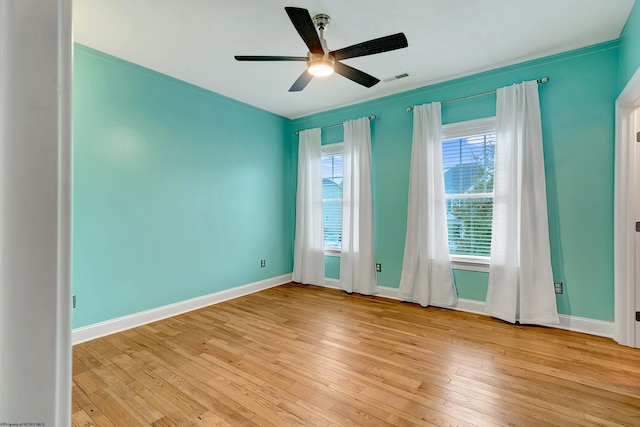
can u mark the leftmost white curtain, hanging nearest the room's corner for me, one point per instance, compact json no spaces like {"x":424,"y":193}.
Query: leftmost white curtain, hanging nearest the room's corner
{"x":308,"y":253}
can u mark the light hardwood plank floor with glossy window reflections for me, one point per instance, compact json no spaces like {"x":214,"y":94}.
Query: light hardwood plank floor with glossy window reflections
{"x":302,"y":355}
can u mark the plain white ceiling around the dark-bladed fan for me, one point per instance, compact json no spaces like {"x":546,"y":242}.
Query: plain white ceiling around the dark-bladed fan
{"x":195,"y":41}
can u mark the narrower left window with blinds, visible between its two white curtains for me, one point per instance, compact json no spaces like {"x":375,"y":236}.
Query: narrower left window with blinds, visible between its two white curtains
{"x":332,"y":170}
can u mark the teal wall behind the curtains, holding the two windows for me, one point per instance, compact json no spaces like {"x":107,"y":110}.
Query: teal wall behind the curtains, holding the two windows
{"x":578,"y":130}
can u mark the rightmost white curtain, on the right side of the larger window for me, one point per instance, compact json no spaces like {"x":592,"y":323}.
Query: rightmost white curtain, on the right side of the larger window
{"x":520,"y":277}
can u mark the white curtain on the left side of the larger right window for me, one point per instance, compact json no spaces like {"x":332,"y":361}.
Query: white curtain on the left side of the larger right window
{"x":427,"y":277}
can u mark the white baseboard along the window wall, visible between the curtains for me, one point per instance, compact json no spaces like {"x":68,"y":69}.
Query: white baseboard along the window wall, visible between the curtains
{"x":600,"y":328}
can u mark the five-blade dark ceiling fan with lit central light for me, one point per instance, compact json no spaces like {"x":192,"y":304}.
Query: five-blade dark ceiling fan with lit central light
{"x":323,"y":62}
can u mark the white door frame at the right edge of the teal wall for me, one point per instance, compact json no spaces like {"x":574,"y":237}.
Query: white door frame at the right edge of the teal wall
{"x":625,"y":212}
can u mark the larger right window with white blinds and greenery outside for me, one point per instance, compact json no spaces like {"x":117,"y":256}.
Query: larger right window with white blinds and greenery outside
{"x":468,"y":162}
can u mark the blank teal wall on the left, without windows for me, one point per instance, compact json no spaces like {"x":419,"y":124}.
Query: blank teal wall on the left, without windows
{"x":177,"y":192}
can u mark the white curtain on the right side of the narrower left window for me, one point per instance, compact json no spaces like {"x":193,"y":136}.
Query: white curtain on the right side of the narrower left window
{"x":357,"y":260}
